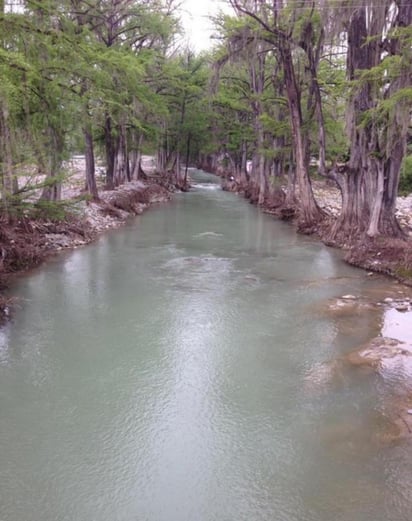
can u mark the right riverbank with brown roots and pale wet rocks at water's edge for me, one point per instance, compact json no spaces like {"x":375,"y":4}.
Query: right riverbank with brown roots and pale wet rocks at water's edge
{"x":388,"y":355}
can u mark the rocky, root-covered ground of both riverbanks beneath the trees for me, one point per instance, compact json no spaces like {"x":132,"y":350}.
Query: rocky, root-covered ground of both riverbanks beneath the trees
{"x":27,"y":242}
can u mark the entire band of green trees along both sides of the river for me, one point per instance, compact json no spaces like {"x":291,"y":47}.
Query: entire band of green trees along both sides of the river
{"x":291,"y":89}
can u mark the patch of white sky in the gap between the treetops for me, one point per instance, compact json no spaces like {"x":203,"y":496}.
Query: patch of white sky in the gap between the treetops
{"x":195,"y":21}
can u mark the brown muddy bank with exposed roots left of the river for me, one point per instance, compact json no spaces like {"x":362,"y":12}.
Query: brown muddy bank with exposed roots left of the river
{"x":27,"y":242}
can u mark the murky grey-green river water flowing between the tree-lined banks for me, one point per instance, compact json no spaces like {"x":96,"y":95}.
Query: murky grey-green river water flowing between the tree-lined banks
{"x":168,"y":373}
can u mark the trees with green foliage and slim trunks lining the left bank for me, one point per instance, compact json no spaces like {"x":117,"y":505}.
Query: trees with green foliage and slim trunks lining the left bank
{"x":101,"y":78}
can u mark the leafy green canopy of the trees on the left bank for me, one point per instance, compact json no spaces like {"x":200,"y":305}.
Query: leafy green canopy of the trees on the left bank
{"x":64,"y":65}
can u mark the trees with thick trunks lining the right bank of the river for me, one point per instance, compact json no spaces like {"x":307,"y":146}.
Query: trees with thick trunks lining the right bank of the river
{"x":328,"y":83}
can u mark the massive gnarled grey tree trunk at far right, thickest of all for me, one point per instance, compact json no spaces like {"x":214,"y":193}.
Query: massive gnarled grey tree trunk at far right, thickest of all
{"x":369,"y":184}
